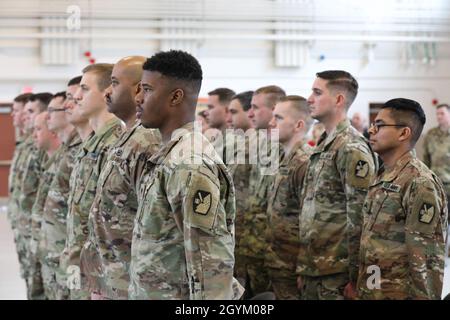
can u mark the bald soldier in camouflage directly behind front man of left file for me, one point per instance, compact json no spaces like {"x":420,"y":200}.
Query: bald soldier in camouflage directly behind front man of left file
{"x":105,"y":257}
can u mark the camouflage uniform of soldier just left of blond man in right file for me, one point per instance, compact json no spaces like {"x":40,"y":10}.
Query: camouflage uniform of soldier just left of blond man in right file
{"x":252,"y":244}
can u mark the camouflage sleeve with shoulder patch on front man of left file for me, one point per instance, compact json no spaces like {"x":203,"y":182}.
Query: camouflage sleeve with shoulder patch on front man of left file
{"x":208,"y":240}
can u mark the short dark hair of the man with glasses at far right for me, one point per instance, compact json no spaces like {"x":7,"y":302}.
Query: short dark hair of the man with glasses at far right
{"x":409,"y":113}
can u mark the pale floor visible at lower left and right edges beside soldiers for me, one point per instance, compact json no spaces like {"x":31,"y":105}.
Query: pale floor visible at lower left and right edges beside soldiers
{"x":12,"y":287}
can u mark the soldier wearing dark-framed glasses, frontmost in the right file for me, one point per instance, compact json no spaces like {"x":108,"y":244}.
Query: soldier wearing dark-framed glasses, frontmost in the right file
{"x":405,"y":213}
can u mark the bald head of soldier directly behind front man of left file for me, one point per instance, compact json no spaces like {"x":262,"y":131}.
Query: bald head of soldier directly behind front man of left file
{"x":125,"y":78}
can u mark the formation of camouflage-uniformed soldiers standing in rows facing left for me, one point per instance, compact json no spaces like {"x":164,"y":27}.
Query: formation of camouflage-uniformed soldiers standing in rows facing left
{"x":116,"y":194}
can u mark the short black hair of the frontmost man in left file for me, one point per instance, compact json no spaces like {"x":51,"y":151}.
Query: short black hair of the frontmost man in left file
{"x":178,"y":65}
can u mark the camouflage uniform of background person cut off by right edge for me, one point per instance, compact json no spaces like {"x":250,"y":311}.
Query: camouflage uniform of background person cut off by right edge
{"x":437,"y":155}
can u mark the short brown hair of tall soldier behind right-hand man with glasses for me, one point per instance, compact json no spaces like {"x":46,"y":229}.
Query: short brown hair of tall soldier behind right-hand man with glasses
{"x":341,"y":80}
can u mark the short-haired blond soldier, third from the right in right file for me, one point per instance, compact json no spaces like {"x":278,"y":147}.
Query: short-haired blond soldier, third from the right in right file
{"x":291,"y":117}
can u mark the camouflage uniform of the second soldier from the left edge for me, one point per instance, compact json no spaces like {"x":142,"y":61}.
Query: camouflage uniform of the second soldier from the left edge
{"x":29,"y":188}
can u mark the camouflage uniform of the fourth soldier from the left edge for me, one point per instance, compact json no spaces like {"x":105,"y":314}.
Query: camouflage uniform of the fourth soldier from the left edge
{"x":54,"y":221}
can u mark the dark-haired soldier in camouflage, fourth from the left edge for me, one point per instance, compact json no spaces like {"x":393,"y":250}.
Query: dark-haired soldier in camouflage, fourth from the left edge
{"x":55,"y":207}
